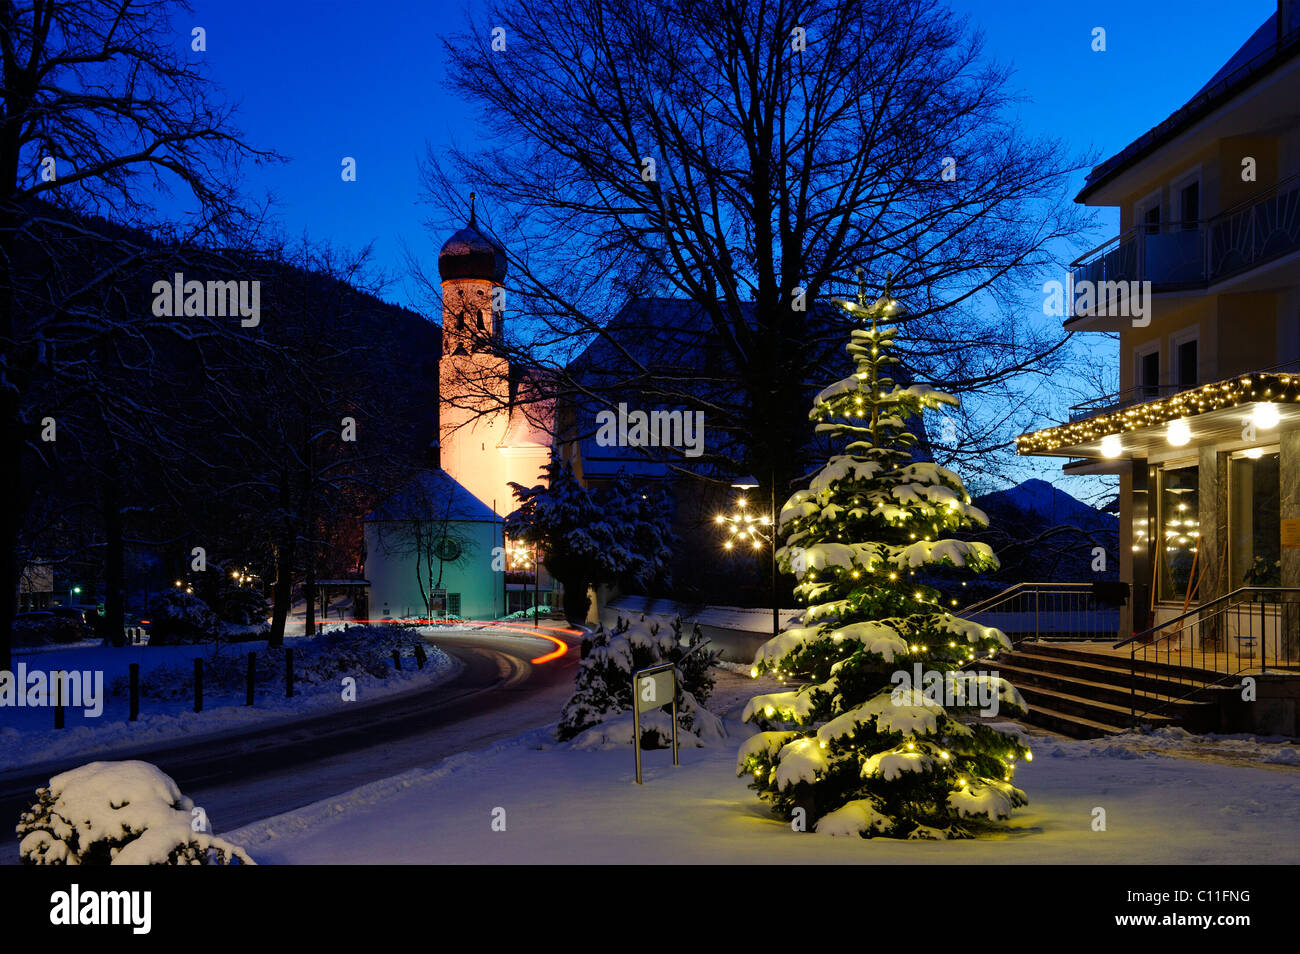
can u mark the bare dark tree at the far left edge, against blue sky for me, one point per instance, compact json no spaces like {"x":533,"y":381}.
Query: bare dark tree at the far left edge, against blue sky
{"x":103,"y":115}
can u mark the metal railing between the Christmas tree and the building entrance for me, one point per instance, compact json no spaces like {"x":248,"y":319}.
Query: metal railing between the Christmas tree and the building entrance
{"x":1051,"y":612}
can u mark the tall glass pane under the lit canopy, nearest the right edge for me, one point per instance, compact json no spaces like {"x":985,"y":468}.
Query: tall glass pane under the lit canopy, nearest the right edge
{"x":1255,"y":519}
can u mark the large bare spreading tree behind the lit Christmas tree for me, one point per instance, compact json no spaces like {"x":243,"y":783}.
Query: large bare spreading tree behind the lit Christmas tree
{"x":749,"y":157}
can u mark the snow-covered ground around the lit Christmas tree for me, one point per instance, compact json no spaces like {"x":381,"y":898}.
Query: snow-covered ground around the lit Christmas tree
{"x":1194,"y":801}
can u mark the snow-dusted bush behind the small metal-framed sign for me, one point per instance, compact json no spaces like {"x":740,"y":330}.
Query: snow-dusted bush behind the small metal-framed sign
{"x":601,"y":708}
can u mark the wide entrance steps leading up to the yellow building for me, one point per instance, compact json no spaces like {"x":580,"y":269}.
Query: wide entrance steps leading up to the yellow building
{"x":1089,"y":695}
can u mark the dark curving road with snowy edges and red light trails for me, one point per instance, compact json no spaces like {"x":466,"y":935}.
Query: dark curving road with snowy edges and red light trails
{"x":239,"y":780}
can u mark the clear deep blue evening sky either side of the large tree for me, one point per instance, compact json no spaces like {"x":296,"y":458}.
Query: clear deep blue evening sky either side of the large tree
{"x":326,"y":80}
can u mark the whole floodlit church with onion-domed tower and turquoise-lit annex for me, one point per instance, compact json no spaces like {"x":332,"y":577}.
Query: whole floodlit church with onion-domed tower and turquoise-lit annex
{"x":436,"y":548}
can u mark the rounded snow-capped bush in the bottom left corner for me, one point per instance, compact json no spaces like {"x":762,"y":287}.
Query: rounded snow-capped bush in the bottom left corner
{"x":119,"y":813}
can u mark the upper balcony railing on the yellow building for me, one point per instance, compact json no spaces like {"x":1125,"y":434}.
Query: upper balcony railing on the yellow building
{"x":1198,"y":254}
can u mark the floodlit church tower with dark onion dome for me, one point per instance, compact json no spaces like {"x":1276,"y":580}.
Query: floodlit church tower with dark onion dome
{"x":474,"y":375}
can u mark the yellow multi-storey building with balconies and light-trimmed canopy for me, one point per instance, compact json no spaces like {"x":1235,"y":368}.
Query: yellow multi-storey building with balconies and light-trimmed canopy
{"x":1203,"y":288}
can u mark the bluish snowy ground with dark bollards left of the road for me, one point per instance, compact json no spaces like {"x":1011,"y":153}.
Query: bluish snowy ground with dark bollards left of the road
{"x":28,"y":735}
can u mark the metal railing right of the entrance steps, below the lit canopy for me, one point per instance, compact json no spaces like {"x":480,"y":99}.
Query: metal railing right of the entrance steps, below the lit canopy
{"x":1250,"y":630}
